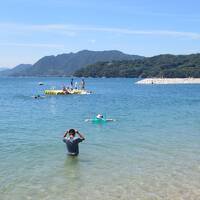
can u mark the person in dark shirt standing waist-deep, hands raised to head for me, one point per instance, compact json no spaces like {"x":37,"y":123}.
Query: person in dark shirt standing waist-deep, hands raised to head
{"x":72,"y":141}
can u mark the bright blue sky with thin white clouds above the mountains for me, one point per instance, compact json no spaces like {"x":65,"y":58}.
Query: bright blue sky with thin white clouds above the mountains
{"x":31,"y":29}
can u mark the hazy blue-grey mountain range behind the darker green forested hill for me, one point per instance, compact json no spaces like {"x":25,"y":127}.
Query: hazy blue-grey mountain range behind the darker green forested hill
{"x":67,"y":64}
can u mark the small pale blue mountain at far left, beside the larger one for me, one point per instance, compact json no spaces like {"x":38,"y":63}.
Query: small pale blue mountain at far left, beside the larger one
{"x":16,"y":71}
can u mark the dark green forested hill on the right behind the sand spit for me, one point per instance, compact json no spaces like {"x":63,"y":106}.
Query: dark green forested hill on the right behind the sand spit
{"x":166,"y":65}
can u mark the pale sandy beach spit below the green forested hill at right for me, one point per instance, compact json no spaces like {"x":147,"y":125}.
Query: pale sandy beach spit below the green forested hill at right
{"x":169,"y":81}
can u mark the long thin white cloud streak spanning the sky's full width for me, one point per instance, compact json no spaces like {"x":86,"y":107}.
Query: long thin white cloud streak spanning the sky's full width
{"x":72,"y":30}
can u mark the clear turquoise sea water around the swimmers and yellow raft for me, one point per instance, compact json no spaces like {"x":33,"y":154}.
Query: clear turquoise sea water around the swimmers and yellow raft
{"x":152,"y":151}
